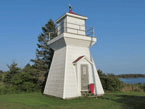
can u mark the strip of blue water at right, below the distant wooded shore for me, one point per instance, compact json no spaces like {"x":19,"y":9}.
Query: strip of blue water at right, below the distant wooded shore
{"x":133,"y":80}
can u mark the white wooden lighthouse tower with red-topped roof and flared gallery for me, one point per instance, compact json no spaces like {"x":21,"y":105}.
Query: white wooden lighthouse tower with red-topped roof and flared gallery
{"x":72,"y":68}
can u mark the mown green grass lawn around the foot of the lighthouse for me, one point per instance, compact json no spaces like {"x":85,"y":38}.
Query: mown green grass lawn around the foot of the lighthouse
{"x":128,"y":100}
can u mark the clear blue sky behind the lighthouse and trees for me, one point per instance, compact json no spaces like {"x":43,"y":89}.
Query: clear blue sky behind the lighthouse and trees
{"x":119,"y":28}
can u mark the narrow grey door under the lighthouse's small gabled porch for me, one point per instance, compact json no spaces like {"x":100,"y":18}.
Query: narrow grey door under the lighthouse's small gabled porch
{"x":84,"y":77}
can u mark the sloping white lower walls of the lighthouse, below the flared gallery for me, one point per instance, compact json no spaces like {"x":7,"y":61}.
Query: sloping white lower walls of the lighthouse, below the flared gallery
{"x":64,"y":79}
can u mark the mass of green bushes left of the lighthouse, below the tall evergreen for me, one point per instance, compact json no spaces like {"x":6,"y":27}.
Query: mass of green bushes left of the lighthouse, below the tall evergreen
{"x":21,"y":80}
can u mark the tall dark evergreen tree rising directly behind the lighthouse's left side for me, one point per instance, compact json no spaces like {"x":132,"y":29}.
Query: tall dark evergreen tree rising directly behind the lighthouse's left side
{"x":43,"y":52}
